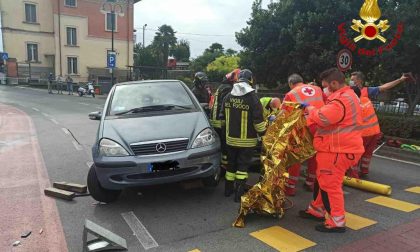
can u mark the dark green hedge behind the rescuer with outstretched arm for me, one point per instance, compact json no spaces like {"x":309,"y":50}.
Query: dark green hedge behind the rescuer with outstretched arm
{"x":400,"y":126}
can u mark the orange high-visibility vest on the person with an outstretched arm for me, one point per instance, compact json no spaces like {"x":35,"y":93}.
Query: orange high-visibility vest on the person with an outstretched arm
{"x":370,"y":124}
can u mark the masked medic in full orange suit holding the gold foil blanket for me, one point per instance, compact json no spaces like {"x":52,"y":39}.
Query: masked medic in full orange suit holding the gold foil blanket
{"x":339,"y":145}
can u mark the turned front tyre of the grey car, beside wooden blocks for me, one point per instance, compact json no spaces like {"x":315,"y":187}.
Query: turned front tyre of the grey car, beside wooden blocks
{"x":97,"y":191}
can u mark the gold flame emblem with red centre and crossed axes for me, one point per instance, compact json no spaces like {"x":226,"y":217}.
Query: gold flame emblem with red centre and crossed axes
{"x":369,"y":30}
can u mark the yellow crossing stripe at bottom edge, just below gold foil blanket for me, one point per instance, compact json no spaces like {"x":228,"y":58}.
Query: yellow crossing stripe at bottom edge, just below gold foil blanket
{"x":282,"y":239}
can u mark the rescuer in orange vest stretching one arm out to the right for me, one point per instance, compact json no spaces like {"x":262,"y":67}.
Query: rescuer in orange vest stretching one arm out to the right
{"x":372,"y":136}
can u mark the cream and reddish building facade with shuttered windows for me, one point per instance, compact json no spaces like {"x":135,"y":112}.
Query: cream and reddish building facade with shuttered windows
{"x":68,"y":37}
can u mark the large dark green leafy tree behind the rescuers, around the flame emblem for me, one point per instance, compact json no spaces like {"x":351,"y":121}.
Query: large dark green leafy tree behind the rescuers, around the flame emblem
{"x":302,"y":36}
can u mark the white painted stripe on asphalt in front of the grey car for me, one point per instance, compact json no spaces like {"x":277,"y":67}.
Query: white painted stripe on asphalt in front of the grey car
{"x":139,"y":230}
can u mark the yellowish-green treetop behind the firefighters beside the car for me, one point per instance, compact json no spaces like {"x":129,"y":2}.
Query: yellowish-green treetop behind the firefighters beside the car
{"x":220,"y":66}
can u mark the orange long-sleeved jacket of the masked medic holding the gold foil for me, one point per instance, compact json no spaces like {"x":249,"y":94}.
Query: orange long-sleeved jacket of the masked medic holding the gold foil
{"x":338,"y":123}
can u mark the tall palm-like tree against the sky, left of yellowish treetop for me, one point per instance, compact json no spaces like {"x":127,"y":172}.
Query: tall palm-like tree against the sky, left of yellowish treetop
{"x":163,"y":40}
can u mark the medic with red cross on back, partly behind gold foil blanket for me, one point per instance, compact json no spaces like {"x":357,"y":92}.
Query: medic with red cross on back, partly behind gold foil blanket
{"x":312,"y":95}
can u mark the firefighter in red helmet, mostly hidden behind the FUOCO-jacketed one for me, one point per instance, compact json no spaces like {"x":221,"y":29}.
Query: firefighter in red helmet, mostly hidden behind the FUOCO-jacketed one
{"x":221,"y":92}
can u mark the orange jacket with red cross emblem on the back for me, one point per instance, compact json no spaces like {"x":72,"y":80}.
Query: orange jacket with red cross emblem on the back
{"x":304,"y":93}
